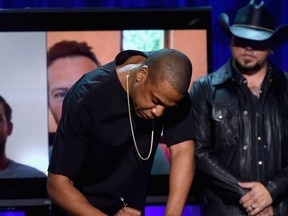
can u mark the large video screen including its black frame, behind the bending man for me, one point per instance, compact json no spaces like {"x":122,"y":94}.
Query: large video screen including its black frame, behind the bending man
{"x":24,"y":83}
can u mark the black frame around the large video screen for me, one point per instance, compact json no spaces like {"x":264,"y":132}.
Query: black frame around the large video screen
{"x":86,"y":19}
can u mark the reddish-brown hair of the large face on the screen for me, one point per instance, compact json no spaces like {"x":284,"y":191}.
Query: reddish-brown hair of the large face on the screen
{"x":66,"y":48}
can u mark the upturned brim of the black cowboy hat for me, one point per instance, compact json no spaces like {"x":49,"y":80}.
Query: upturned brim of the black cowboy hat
{"x":279,"y":35}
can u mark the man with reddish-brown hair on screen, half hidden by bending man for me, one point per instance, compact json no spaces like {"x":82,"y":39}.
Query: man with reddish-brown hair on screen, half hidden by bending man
{"x":67,"y":61}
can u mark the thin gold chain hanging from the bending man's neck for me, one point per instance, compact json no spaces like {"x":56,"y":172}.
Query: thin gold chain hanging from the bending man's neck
{"x":131,"y":125}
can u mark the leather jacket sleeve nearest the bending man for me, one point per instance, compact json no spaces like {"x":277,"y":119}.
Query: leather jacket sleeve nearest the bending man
{"x":208,"y":167}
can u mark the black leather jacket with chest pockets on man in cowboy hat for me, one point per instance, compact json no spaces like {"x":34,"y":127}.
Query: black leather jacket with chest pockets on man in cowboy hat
{"x":240,"y":138}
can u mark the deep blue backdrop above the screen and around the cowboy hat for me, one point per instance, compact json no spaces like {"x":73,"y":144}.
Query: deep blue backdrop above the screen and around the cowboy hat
{"x":220,"y":42}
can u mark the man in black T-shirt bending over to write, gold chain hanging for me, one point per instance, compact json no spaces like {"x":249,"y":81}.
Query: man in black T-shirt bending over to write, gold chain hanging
{"x":111,"y":124}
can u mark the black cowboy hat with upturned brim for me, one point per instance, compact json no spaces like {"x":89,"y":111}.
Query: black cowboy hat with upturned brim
{"x":255,"y":22}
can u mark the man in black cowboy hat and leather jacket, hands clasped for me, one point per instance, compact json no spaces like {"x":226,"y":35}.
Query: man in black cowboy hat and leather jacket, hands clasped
{"x":241,"y":122}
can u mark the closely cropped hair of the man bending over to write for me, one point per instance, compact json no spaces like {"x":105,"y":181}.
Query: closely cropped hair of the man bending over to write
{"x":171,"y":65}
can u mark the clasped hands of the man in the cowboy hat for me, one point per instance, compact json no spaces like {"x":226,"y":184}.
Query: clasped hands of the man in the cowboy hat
{"x":256,"y":200}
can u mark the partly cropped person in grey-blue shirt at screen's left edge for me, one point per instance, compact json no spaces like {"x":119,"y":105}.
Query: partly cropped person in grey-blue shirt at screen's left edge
{"x":8,"y":167}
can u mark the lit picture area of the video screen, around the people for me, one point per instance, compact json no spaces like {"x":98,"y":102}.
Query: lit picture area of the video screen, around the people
{"x":24,"y":82}
